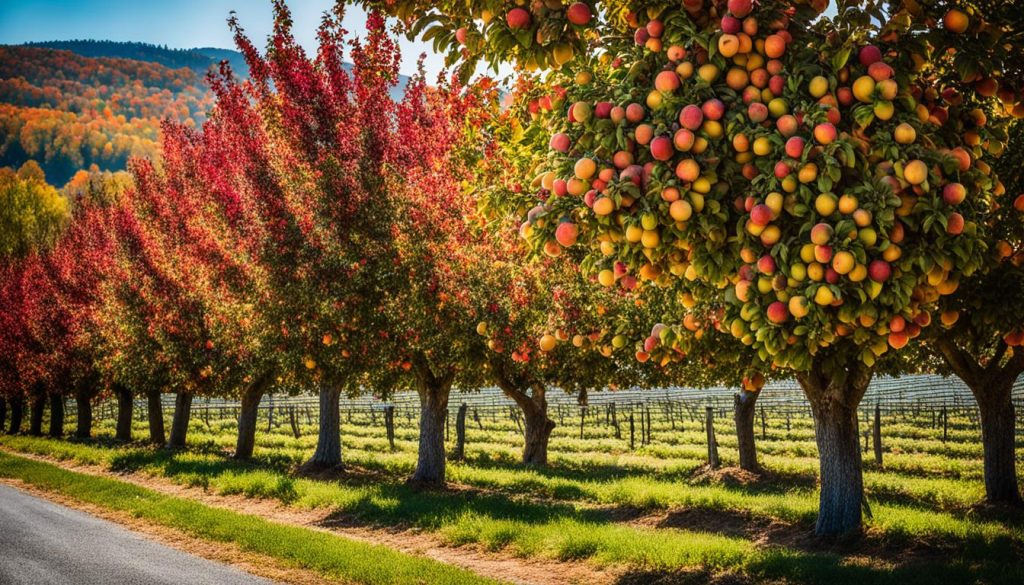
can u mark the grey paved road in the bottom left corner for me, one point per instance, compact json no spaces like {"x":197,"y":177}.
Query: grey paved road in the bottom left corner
{"x":46,"y":544}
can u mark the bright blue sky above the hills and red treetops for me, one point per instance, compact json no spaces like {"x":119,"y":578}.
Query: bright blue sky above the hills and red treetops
{"x":178,"y":24}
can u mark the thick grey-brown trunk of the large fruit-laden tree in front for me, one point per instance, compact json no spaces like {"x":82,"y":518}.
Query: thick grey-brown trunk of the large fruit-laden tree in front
{"x":835,"y":398}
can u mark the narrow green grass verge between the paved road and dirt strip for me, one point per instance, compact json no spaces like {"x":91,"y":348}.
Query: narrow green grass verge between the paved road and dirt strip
{"x":325,"y":554}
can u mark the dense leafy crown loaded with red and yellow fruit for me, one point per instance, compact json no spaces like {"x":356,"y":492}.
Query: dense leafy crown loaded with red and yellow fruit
{"x":805,"y":176}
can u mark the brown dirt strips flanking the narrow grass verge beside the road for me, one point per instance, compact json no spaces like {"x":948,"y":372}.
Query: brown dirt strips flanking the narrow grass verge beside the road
{"x":496,"y":566}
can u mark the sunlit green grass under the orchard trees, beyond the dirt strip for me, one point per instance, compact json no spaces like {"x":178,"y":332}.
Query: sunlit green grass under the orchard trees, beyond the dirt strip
{"x":601,"y":503}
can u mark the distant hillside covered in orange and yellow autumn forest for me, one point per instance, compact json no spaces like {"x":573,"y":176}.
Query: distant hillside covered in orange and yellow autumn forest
{"x":68,"y":112}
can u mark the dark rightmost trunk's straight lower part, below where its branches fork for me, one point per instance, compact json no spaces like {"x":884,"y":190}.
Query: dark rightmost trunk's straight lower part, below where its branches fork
{"x":998,"y":436}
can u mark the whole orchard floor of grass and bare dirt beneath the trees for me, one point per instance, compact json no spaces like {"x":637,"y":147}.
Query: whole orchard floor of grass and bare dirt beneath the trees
{"x":602,"y":513}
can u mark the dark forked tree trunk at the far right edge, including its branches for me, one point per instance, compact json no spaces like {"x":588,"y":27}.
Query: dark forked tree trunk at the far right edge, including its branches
{"x":993,"y":388}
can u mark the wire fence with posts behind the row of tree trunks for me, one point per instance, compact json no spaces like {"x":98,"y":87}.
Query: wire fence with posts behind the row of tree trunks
{"x":910,"y":397}
